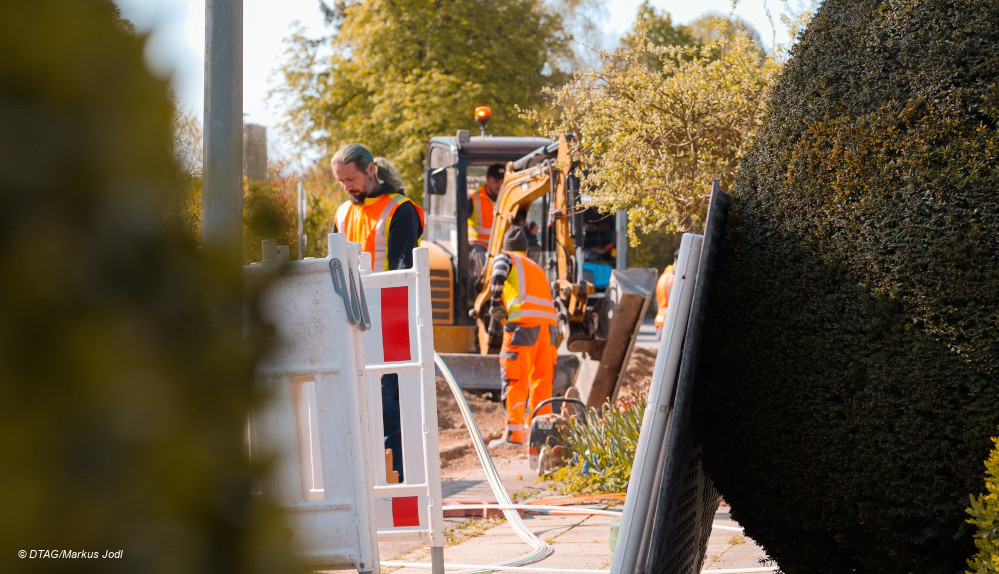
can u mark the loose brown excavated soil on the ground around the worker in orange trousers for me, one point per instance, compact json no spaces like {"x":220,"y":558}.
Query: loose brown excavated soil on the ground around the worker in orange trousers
{"x":456,"y":452}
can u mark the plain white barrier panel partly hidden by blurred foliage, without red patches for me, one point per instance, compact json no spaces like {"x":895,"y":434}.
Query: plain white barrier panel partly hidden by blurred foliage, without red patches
{"x":313,"y":422}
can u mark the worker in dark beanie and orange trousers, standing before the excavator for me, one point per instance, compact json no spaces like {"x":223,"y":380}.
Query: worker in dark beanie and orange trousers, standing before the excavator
{"x":521,"y":296}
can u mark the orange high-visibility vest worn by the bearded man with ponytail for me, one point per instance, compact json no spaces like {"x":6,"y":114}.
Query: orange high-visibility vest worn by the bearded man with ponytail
{"x":368,"y":224}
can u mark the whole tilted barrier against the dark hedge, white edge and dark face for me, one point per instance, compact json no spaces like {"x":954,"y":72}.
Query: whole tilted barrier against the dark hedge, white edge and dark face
{"x":671,"y":502}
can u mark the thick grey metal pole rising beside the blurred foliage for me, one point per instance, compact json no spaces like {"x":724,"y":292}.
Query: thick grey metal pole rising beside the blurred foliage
{"x":222,"y":200}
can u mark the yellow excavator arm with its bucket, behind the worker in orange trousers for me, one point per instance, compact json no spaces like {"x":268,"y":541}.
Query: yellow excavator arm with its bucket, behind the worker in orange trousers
{"x":588,"y":321}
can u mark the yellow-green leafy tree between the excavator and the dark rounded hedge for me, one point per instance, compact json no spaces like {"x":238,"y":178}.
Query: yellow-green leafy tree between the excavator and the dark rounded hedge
{"x":653,"y":137}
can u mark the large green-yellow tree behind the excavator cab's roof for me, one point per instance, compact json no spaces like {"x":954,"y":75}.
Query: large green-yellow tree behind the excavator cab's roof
{"x":397,"y":72}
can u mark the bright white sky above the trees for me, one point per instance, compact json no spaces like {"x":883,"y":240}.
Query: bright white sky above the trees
{"x":177,"y":27}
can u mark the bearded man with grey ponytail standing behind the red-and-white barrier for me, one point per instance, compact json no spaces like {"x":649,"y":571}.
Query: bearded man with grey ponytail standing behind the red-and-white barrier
{"x":388,"y":226}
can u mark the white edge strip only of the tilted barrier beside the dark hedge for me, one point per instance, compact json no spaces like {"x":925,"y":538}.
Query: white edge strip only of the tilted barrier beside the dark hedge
{"x":646,"y":473}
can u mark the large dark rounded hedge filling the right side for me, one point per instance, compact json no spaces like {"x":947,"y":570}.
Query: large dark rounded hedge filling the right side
{"x":854,"y":330}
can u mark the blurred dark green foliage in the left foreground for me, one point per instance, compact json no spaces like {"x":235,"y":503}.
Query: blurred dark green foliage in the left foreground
{"x":125,"y":383}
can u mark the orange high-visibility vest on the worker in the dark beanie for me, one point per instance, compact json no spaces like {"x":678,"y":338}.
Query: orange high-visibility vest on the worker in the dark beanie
{"x":526,"y":294}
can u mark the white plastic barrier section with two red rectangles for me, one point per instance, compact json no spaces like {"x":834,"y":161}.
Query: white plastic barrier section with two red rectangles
{"x":400,"y":341}
